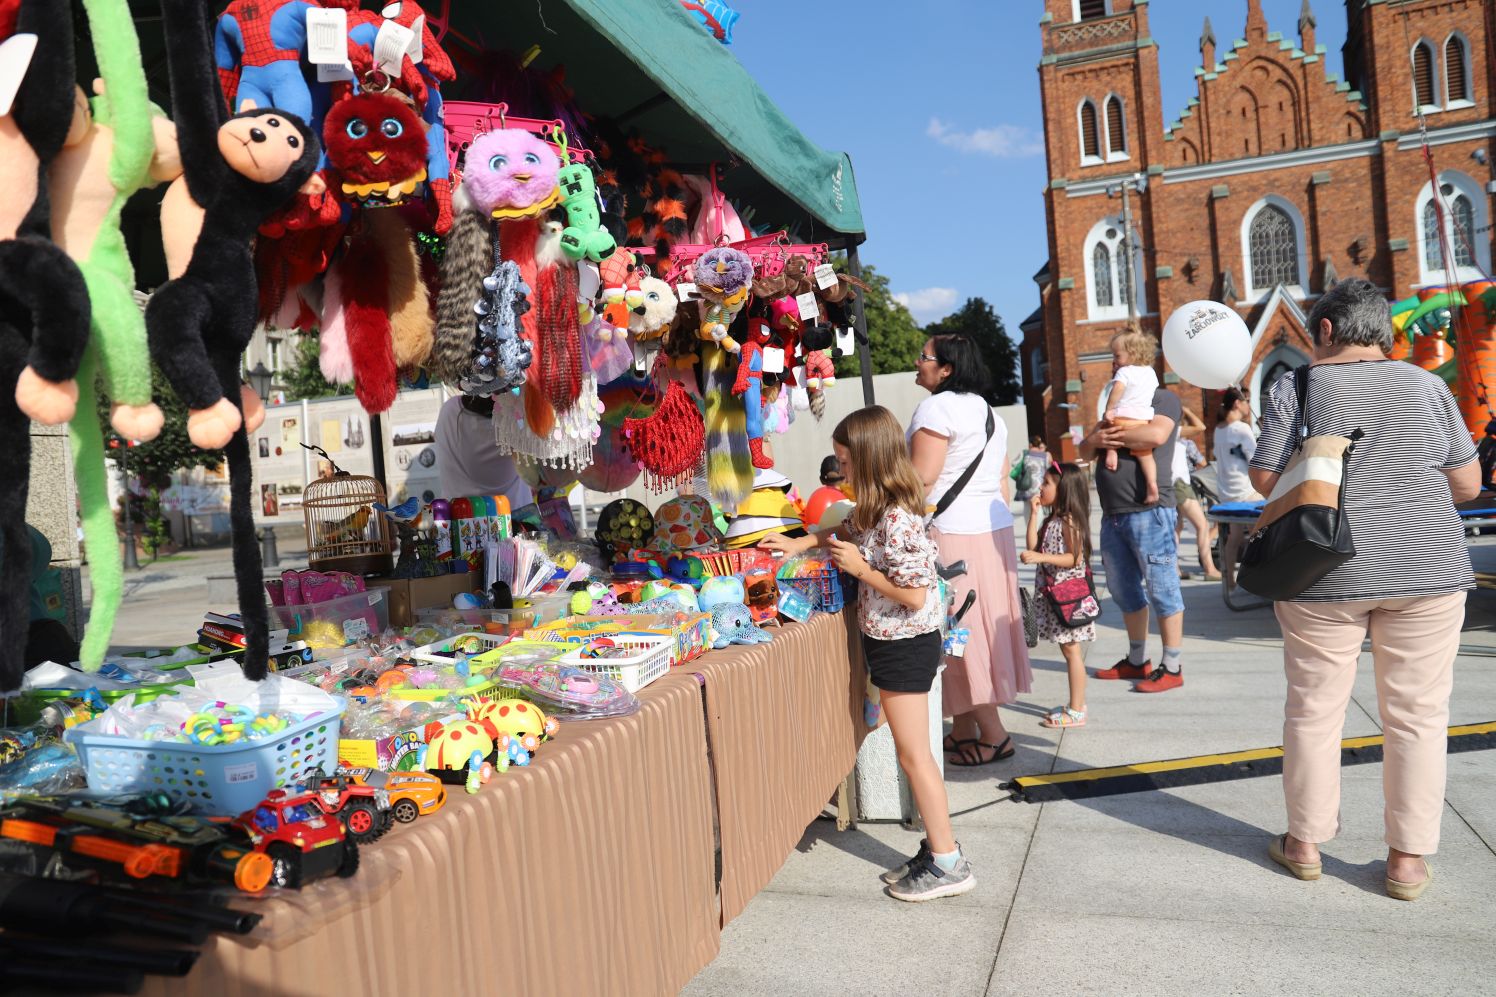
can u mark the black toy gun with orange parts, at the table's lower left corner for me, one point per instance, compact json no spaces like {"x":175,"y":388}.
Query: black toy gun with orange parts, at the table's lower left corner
{"x":221,"y":863}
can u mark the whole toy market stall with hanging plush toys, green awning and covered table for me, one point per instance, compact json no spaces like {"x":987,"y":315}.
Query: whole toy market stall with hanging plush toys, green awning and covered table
{"x":465,"y":746}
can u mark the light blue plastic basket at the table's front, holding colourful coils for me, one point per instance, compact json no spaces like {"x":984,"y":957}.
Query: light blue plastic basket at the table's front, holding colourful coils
{"x":218,"y":781}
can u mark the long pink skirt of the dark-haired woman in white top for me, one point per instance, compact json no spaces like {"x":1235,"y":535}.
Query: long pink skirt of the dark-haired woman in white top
{"x":996,"y":668}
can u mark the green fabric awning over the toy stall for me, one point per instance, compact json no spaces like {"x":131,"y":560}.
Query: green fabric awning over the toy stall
{"x":652,"y":67}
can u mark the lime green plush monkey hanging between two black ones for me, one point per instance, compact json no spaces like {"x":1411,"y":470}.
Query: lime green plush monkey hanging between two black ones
{"x":114,"y":149}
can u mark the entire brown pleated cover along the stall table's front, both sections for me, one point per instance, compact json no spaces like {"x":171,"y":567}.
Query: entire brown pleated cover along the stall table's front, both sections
{"x":593,"y":871}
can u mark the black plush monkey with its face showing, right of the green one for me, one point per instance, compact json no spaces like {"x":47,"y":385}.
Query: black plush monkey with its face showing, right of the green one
{"x":237,"y":171}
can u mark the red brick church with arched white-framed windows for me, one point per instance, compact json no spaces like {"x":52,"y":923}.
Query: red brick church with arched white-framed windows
{"x":1272,"y":183}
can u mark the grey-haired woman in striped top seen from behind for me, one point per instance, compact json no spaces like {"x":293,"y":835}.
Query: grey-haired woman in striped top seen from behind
{"x":1405,"y":586}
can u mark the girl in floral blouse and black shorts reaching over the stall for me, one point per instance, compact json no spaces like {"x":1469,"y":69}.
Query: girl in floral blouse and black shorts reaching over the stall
{"x":883,"y":546}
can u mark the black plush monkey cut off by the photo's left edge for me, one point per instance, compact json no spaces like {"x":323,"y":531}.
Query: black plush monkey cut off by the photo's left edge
{"x":44,"y":303}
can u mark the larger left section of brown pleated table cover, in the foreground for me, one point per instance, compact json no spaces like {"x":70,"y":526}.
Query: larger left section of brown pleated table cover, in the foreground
{"x":592,"y":872}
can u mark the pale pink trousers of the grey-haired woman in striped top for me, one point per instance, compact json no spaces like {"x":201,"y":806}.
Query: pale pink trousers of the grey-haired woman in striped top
{"x":1414,"y":643}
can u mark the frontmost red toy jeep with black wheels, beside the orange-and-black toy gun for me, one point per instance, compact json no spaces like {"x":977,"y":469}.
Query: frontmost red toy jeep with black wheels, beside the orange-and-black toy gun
{"x":300,"y":838}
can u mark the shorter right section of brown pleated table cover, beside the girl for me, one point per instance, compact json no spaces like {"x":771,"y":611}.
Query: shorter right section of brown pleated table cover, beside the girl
{"x":785,"y":722}
